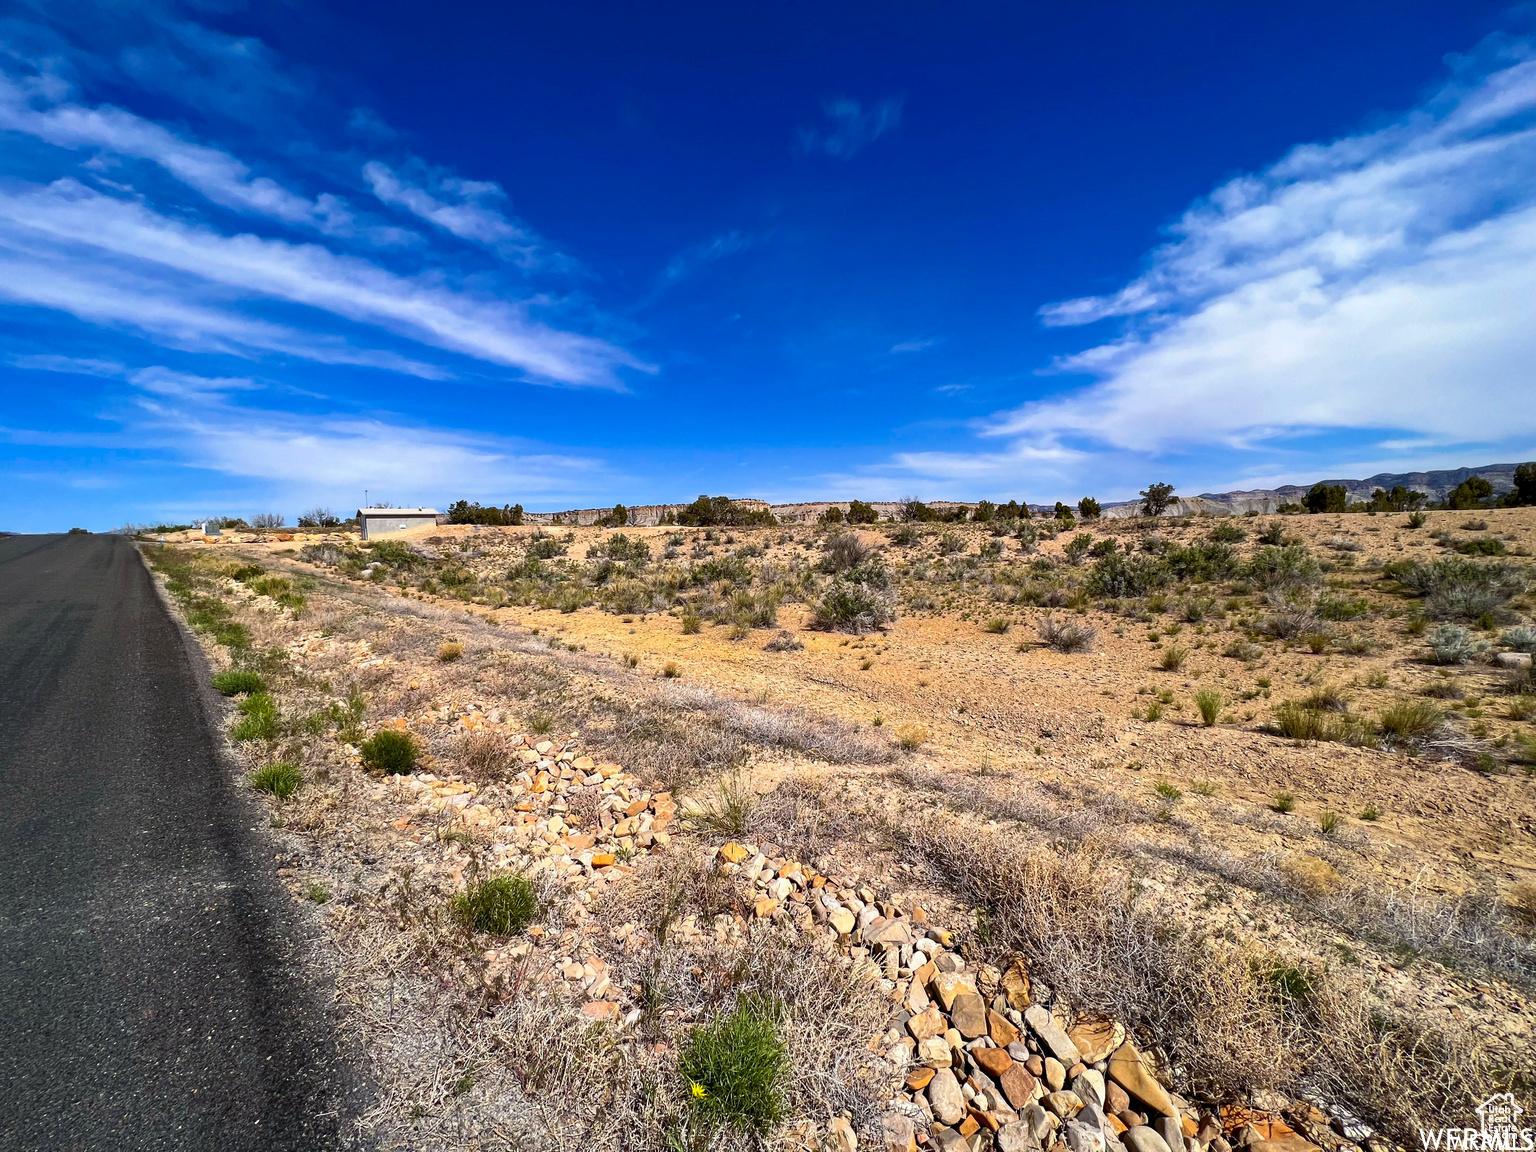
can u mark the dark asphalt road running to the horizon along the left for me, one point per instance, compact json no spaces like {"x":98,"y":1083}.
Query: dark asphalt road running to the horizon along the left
{"x":151,"y":984}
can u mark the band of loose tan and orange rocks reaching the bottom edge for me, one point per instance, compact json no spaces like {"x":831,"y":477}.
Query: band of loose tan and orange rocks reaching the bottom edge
{"x":987,"y":1064}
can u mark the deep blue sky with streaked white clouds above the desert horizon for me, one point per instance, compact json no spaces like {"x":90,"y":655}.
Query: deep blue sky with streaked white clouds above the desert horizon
{"x":270,"y":257}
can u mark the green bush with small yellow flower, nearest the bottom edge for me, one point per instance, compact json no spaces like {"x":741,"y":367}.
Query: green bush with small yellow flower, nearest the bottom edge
{"x":737,"y":1068}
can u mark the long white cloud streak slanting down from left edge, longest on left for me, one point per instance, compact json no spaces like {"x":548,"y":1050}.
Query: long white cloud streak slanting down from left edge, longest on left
{"x":71,"y":248}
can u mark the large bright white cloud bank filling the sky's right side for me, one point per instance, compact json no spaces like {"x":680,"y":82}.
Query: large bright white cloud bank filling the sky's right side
{"x":1380,"y":282}
